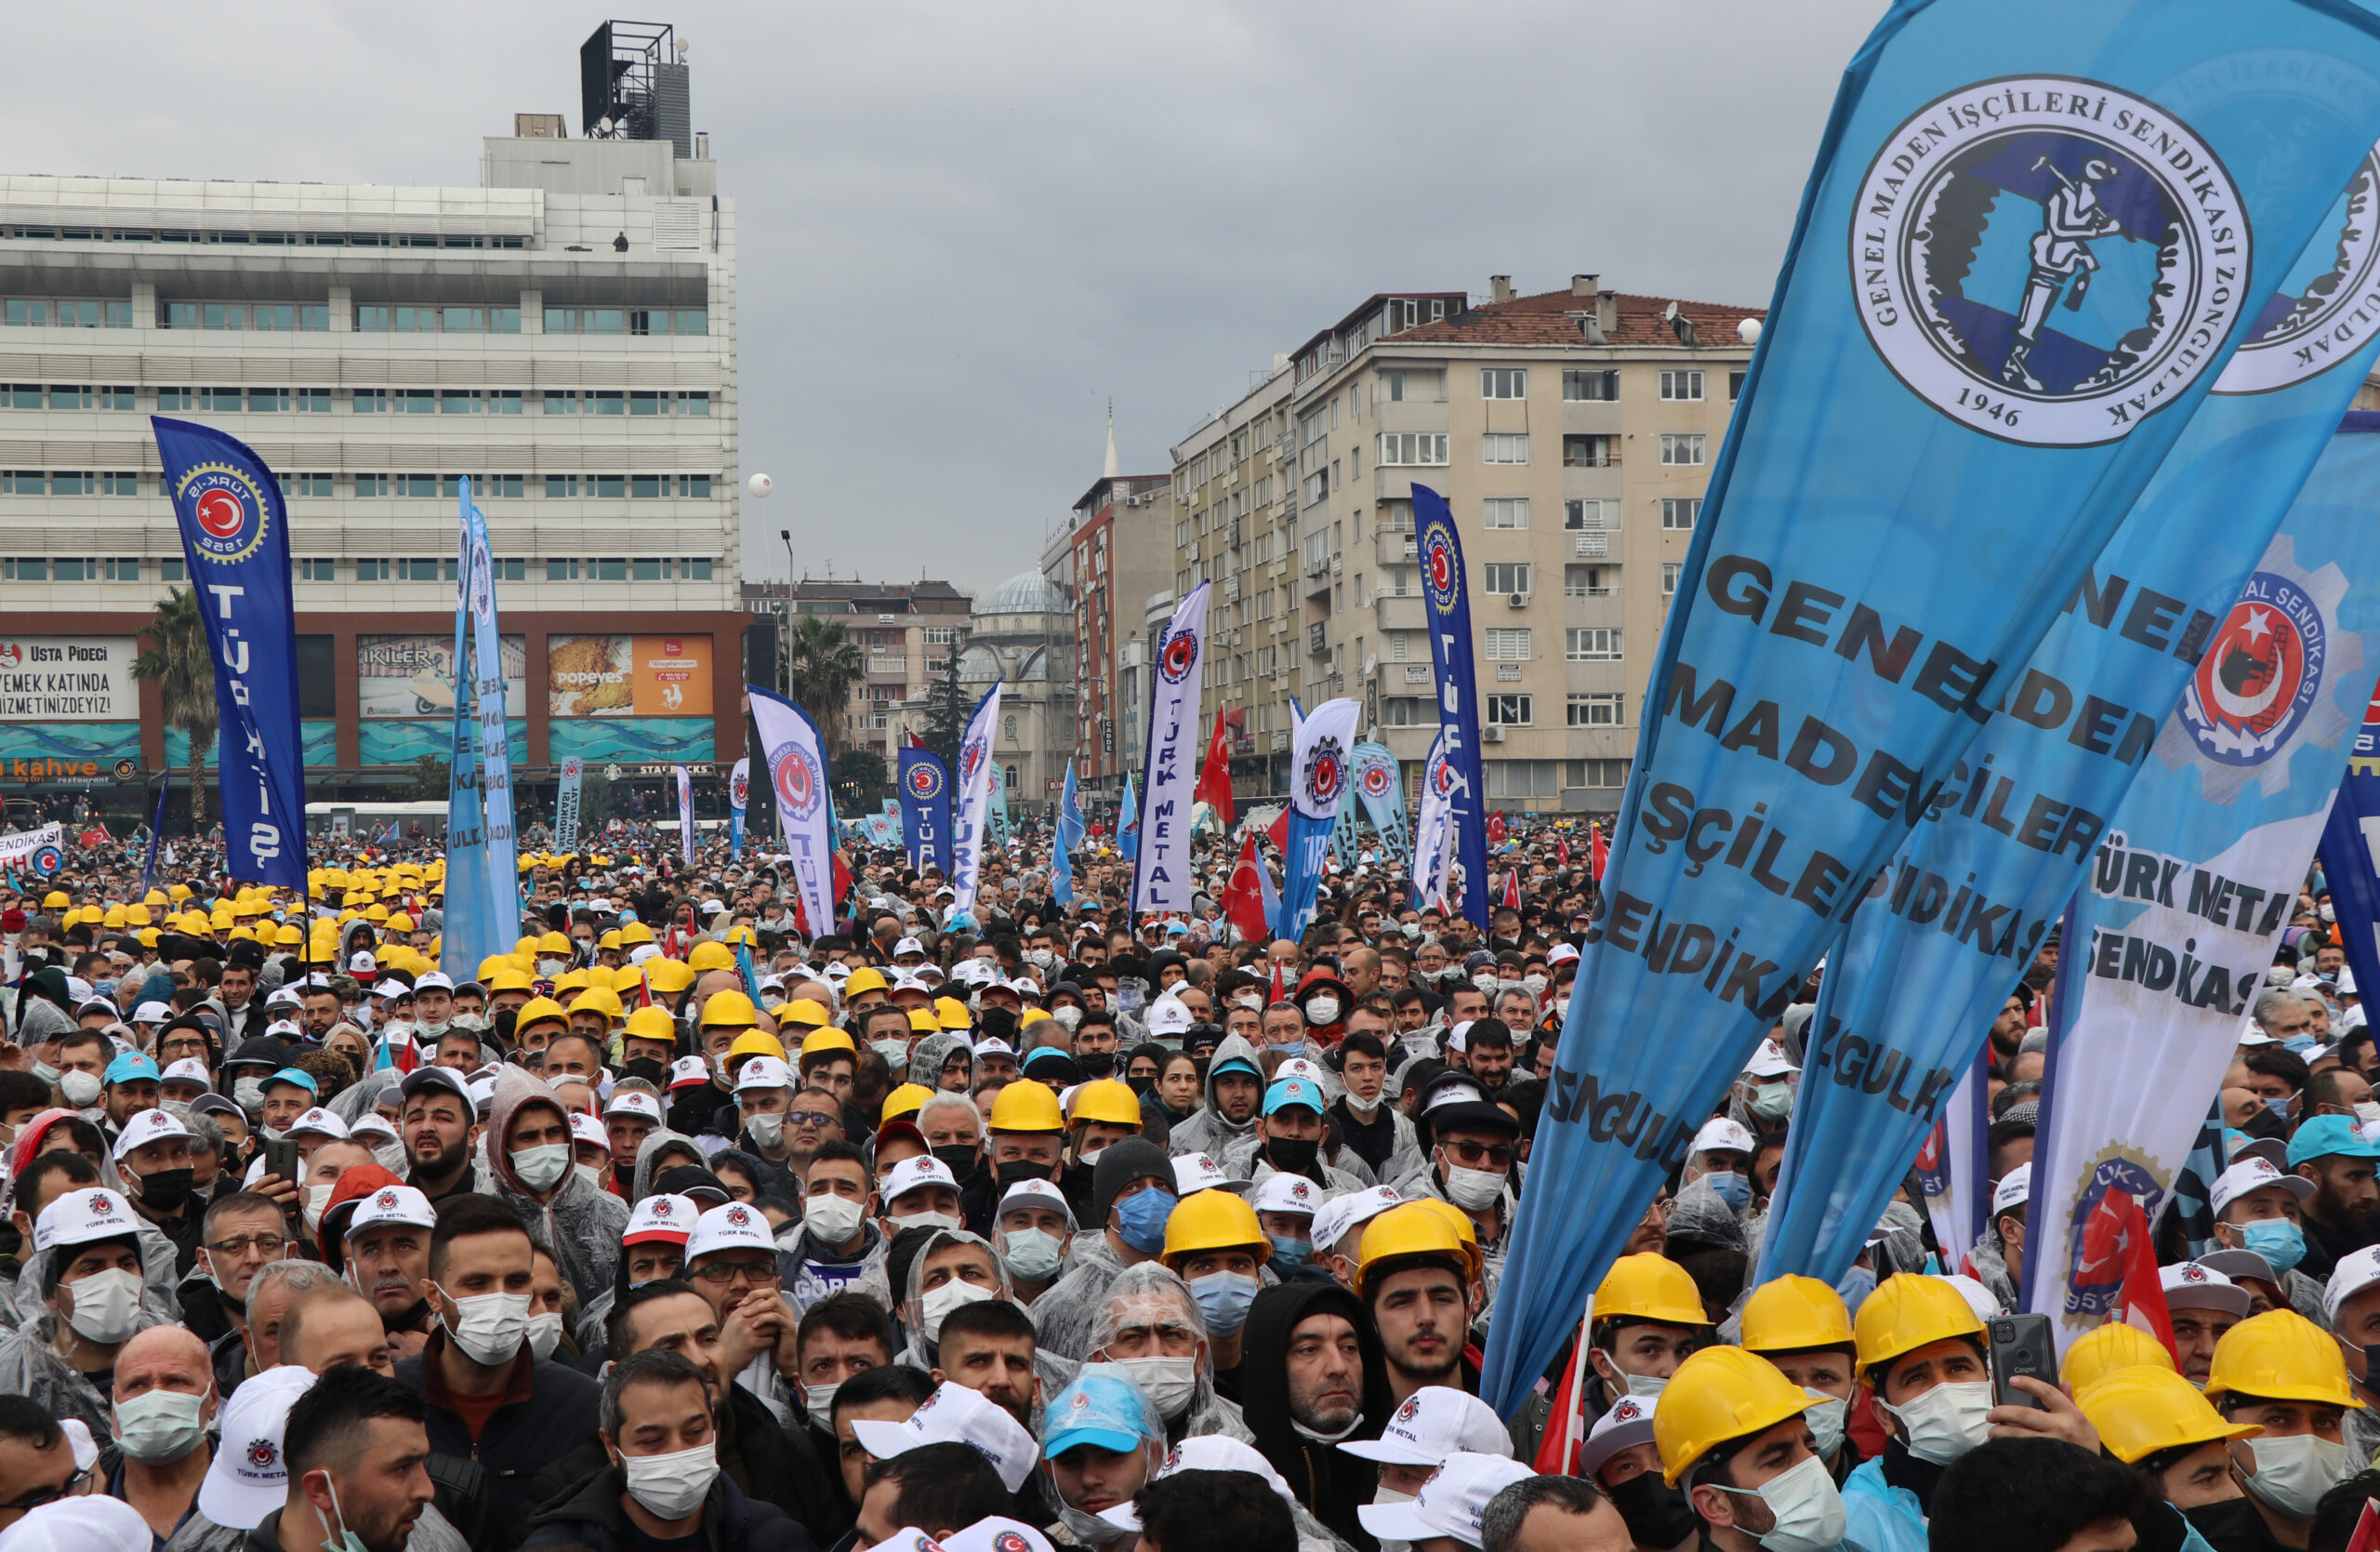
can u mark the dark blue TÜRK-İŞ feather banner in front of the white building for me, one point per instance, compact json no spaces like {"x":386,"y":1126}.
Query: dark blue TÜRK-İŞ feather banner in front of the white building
{"x":237,"y":544}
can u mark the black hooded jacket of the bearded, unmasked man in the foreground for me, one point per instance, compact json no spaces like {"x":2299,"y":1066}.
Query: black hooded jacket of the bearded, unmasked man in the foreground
{"x":1327,"y":1479}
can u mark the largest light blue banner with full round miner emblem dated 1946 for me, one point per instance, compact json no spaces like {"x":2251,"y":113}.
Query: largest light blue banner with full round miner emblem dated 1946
{"x":2034,"y":234}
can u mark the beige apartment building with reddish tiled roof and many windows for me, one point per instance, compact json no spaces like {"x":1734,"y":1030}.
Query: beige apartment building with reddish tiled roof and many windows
{"x":1572,"y":434}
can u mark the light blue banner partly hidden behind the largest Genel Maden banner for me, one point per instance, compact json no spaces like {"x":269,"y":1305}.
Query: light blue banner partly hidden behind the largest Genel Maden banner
{"x":1960,"y":913}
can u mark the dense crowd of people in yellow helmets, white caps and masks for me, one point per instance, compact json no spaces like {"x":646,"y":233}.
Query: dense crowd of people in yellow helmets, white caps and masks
{"x":679,"y":1225}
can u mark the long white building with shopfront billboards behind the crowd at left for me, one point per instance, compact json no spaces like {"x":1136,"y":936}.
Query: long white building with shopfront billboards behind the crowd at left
{"x":563,"y":334}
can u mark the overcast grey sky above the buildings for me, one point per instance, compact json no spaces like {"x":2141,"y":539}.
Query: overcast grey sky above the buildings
{"x":965,"y":227}
